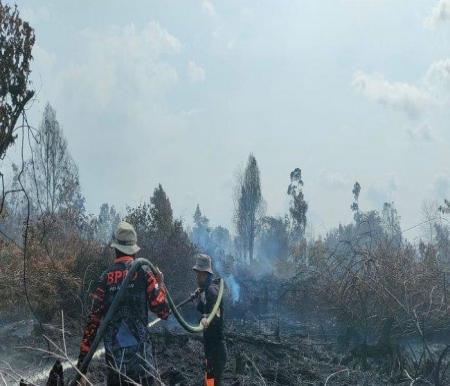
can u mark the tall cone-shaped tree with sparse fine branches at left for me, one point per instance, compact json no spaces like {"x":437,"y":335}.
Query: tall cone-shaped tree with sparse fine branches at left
{"x":52,"y":170}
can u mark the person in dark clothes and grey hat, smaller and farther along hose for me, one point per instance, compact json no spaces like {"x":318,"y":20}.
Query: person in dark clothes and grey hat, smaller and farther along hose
{"x":213,"y":335}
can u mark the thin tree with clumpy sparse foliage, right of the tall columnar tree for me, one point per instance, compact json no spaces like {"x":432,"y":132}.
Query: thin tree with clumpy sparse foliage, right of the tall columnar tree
{"x":298,"y":206}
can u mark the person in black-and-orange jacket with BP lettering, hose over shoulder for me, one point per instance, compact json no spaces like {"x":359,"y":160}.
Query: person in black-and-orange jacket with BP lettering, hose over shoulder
{"x":128,"y":349}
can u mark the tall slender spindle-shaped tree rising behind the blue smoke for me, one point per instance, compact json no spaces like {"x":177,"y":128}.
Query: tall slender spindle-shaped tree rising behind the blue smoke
{"x":249,"y":204}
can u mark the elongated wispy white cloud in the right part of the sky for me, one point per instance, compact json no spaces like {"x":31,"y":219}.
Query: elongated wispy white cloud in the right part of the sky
{"x":395,"y":95}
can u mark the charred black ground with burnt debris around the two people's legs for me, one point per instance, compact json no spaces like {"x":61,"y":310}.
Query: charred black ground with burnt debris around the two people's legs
{"x":253,"y":359}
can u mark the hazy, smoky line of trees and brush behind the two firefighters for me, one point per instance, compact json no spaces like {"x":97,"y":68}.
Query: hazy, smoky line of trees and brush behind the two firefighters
{"x":365,"y":275}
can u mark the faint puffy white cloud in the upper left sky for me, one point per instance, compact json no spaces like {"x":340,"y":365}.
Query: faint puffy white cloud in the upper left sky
{"x":123,"y":65}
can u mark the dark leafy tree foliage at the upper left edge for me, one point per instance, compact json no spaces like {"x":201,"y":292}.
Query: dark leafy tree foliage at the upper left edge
{"x":16,"y":43}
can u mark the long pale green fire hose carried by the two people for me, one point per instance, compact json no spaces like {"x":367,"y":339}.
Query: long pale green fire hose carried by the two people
{"x":138,"y":263}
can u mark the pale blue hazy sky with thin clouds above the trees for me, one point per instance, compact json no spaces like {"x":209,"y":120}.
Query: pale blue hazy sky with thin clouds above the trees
{"x":181,"y":92}
